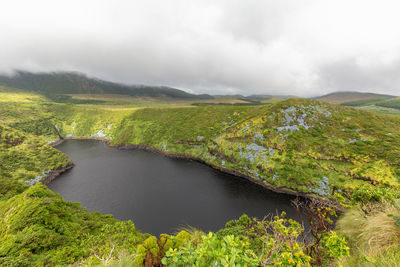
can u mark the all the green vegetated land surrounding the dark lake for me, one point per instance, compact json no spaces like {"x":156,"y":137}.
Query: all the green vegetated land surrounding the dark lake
{"x":347,"y":157}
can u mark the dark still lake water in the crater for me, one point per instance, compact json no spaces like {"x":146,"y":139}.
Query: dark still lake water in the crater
{"x":160,"y":194}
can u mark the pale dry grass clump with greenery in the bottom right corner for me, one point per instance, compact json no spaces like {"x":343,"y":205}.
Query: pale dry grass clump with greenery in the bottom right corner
{"x":372,"y":228}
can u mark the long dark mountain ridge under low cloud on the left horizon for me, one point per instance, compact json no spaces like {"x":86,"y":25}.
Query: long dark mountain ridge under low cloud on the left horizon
{"x":61,"y":83}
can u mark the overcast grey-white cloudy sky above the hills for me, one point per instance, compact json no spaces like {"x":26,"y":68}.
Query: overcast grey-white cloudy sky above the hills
{"x":297,"y":47}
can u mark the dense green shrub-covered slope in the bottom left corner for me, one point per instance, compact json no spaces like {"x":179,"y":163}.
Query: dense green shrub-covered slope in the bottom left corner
{"x":37,"y":228}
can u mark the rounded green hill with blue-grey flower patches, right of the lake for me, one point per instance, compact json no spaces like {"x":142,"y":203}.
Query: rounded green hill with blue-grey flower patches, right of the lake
{"x":316,"y":148}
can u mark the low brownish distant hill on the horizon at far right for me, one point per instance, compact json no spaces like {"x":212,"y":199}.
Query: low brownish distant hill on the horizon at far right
{"x":348,"y":97}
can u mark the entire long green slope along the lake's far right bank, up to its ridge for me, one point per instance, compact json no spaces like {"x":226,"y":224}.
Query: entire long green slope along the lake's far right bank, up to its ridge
{"x":301,"y":146}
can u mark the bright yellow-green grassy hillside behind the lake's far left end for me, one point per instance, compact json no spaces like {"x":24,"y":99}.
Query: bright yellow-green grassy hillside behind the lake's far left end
{"x":38,"y":115}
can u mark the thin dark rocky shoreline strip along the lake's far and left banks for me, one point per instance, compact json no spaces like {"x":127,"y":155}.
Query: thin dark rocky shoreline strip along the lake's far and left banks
{"x":281,"y":190}
